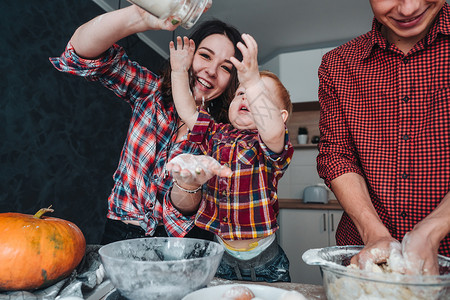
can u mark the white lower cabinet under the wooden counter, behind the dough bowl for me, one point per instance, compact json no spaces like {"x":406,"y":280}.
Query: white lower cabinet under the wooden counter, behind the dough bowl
{"x":304,"y":229}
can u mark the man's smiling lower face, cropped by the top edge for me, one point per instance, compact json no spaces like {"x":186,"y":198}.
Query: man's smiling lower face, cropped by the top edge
{"x":406,"y":20}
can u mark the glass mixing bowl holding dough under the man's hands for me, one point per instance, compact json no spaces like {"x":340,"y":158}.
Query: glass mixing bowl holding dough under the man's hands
{"x":341,"y":282}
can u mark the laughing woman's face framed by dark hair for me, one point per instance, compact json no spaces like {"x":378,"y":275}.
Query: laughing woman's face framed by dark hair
{"x":212,"y":67}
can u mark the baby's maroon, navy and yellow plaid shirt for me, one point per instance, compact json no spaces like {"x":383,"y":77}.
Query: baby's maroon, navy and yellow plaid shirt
{"x":245,"y":204}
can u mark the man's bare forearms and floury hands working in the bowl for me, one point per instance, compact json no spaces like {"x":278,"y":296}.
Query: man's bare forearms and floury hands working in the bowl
{"x":419,"y":246}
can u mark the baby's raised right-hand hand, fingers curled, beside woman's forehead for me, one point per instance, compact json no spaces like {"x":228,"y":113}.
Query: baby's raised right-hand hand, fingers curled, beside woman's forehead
{"x":248,"y":69}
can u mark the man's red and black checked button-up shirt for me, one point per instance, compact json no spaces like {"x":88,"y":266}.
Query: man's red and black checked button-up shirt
{"x":386,"y":116}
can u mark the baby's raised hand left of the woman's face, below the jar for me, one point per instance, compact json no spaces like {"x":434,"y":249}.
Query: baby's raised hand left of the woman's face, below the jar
{"x":181,"y":56}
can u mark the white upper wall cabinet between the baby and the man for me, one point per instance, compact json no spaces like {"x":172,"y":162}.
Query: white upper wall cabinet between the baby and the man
{"x":299,"y":72}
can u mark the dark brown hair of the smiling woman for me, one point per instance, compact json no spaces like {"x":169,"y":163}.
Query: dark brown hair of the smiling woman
{"x":218,"y":107}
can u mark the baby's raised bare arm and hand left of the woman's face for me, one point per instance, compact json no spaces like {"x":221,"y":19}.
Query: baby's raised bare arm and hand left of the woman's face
{"x":180,"y":62}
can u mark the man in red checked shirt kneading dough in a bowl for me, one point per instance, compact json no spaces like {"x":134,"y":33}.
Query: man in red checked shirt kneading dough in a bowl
{"x":385,"y":134}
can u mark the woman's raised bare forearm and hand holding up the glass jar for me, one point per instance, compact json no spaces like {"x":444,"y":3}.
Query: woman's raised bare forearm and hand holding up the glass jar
{"x":93,"y":38}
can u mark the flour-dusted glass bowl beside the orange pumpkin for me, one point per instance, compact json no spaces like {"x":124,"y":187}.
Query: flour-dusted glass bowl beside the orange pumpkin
{"x":160,"y":268}
